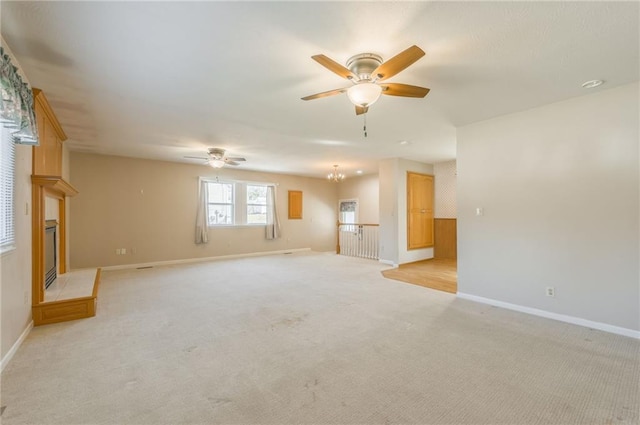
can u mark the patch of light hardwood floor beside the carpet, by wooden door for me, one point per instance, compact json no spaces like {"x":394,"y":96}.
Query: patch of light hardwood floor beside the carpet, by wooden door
{"x":440,"y":274}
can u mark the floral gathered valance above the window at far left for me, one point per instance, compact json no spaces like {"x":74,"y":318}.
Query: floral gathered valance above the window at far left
{"x":17,"y":112}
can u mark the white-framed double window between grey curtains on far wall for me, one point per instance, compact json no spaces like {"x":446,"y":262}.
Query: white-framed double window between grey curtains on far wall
{"x":236,"y":203}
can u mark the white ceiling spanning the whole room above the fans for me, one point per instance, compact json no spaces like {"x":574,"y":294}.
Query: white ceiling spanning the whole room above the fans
{"x":163,"y":80}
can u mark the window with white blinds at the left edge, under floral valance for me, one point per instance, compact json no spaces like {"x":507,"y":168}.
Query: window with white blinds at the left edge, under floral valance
{"x":7,"y":162}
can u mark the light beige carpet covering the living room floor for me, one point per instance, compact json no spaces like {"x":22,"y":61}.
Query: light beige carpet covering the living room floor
{"x":312,"y":338}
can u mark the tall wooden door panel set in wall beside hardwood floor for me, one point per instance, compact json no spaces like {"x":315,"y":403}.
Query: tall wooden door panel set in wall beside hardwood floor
{"x":419,"y":210}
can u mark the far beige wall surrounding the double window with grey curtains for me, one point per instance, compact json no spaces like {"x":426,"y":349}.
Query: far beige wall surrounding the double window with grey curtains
{"x":149,"y":208}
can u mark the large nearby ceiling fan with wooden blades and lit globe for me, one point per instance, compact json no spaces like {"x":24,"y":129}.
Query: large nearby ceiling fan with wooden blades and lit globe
{"x":366,"y":71}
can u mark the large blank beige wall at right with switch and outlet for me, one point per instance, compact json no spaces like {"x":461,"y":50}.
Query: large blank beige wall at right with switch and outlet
{"x":559,"y":187}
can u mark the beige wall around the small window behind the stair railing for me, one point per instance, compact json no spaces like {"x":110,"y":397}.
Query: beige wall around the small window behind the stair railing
{"x":365,"y":189}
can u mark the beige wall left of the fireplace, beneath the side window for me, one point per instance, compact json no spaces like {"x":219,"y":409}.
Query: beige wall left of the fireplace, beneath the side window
{"x":15,"y":266}
